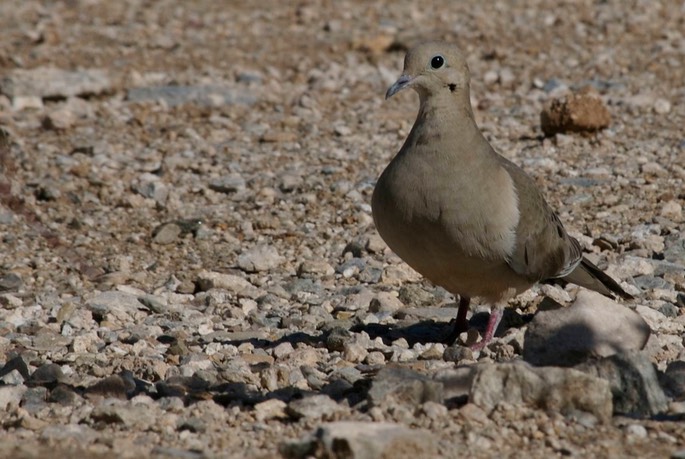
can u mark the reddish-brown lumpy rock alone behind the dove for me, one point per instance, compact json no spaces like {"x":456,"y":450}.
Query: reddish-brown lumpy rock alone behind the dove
{"x":582,"y":112}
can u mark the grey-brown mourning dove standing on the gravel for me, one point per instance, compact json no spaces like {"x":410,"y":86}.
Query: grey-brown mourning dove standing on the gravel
{"x":460,"y":214}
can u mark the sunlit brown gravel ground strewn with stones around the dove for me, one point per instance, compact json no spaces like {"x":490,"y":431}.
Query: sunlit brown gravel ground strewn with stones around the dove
{"x":189,"y":266}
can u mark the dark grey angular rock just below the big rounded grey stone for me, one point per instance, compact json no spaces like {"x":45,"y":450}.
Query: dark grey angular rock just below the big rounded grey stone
{"x":633,"y":381}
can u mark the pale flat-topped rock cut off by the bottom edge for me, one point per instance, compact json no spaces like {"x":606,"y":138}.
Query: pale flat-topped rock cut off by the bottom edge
{"x":363,"y":440}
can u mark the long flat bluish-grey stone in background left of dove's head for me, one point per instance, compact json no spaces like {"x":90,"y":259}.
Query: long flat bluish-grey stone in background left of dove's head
{"x":203,"y":95}
